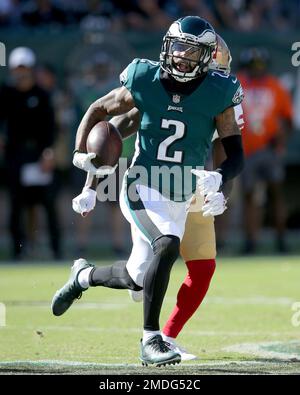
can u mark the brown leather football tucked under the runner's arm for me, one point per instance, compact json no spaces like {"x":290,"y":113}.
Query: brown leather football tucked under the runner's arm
{"x":105,"y":141}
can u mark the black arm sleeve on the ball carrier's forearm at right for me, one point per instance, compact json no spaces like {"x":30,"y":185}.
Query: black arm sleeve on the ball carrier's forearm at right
{"x":234,"y":163}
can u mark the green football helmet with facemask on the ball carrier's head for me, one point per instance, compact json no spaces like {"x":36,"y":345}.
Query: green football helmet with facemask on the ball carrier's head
{"x":188,"y":48}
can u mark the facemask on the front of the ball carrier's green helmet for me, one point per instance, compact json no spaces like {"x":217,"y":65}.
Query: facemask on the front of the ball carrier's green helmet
{"x":185,"y":58}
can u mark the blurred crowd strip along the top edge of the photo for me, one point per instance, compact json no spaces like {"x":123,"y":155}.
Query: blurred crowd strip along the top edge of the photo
{"x":116,"y":15}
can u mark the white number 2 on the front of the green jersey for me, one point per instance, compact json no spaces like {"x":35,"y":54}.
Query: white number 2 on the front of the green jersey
{"x":165,"y":144}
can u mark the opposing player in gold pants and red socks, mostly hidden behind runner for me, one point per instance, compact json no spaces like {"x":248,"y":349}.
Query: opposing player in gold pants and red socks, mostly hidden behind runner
{"x":198,"y":247}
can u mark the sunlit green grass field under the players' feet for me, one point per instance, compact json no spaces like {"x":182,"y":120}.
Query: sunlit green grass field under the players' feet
{"x":244,"y":326}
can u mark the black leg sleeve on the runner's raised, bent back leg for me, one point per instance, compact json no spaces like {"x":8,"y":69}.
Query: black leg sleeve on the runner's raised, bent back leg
{"x":114,"y":276}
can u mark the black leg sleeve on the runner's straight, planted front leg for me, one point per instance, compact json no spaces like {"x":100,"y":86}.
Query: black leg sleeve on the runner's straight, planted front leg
{"x":166,"y":251}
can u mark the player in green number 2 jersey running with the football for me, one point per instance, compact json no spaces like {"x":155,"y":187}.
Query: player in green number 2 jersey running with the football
{"x":181,"y":103}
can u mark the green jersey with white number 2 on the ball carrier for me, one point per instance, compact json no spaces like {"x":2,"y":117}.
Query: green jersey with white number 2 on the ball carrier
{"x":176,"y":130}
